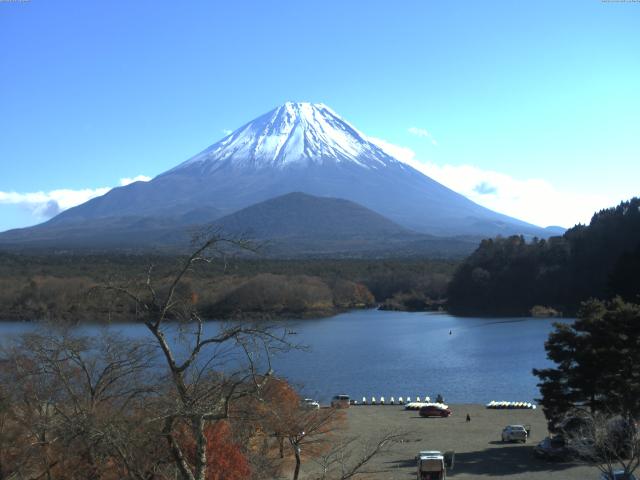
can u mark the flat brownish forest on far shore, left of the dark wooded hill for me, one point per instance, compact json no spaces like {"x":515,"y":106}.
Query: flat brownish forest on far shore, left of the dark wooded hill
{"x":61,"y":286}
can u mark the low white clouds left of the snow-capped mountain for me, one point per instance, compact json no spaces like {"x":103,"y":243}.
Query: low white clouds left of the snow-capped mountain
{"x":44,"y":205}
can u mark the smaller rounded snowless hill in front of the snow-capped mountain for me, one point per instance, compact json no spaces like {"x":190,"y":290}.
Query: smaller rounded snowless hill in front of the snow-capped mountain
{"x":297,"y":224}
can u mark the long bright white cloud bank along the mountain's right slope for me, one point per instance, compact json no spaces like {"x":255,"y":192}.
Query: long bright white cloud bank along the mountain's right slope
{"x":534,"y":200}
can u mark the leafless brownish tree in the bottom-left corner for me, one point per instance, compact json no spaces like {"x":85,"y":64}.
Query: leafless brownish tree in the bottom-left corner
{"x":72,"y":401}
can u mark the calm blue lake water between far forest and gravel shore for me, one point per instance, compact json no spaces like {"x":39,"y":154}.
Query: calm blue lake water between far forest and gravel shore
{"x":370,"y":352}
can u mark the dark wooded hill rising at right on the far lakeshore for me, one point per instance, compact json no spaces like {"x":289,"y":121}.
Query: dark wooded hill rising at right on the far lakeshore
{"x":510,"y":276}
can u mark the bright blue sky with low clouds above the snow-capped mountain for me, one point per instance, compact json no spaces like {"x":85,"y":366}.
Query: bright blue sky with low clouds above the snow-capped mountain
{"x":530,"y":108}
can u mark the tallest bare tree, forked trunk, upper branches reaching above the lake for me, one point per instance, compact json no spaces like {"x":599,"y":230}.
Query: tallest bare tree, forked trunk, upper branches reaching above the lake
{"x":209,"y":369}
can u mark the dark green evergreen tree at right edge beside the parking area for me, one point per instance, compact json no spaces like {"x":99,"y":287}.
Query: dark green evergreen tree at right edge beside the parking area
{"x":597,"y":363}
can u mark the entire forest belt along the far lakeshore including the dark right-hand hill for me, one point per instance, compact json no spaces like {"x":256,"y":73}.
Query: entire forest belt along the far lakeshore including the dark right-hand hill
{"x":504,"y":276}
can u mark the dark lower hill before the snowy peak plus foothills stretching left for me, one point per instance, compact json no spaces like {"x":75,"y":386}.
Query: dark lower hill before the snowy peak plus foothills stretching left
{"x":292,"y":225}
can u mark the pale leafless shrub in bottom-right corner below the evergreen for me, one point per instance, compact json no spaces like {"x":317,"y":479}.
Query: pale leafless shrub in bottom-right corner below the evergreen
{"x":608,"y":441}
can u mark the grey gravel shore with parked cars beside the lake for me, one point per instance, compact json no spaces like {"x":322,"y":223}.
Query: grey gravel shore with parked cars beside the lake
{"x":479,"y":450}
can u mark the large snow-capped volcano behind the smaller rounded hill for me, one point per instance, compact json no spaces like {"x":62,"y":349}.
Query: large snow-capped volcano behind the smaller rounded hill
{"x":297,"y":147}
